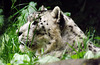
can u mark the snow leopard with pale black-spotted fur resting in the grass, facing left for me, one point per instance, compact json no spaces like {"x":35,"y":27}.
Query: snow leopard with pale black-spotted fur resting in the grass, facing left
{"x":53,"y":31}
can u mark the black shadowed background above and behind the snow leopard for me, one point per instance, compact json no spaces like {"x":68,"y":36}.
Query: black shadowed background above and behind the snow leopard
{"x":86,"y":13}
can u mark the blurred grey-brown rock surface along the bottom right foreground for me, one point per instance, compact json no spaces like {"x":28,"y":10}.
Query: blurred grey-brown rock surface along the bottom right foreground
{"x":76,"y":62}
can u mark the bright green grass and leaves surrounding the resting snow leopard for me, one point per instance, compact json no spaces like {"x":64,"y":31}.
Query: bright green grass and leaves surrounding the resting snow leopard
{"x":9,"y":44}
